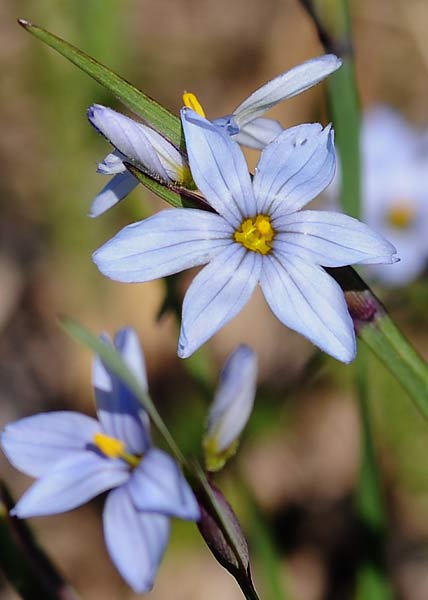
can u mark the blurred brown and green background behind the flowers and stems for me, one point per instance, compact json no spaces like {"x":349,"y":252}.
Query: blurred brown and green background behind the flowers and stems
{"x":299,"y":459}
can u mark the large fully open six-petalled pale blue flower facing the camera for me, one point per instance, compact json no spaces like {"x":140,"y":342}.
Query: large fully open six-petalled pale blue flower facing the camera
{"x":259,"y":234}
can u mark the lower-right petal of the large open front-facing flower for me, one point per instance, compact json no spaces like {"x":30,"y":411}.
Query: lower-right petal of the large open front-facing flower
{"x":306,"y":299}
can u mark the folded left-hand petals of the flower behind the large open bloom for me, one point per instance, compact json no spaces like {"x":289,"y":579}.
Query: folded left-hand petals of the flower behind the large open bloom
{"x":139,"y":145}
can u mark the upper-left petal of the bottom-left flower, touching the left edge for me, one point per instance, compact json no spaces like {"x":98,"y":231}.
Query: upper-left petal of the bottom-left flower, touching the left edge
{"x":34,"y":444}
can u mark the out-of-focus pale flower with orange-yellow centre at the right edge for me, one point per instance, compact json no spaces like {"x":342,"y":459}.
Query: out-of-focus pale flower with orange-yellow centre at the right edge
{"x":395,"y":191}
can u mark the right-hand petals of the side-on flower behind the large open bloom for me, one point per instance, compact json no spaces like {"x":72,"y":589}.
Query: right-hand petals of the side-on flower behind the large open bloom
{"x":248,"y":127}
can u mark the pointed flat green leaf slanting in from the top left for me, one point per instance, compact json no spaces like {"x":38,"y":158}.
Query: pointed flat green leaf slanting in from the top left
{"x":151,"y":111}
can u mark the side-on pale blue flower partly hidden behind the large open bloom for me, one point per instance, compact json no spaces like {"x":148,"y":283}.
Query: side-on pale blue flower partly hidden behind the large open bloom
{"x":153,"y":154}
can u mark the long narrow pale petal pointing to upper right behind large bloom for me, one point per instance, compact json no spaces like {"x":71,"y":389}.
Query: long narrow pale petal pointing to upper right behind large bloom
{"x":286,"y":85}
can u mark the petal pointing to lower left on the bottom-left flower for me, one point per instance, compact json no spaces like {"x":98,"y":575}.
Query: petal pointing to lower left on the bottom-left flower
{"x":70,"y":483}
